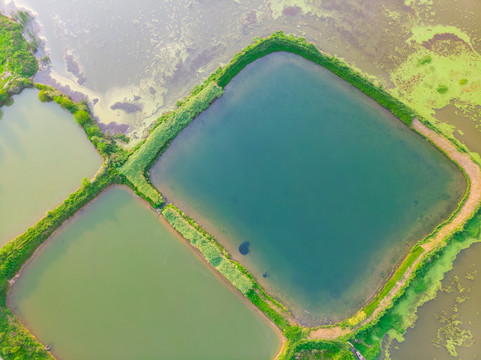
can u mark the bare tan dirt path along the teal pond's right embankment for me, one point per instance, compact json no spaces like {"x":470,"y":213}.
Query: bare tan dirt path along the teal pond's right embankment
{"x":470,"y":204}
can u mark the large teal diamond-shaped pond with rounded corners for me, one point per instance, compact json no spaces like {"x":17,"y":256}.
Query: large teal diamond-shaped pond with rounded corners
{"x":329,"y":189}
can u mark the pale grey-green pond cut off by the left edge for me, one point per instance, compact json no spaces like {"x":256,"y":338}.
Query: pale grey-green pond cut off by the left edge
{"x":44,"y":155}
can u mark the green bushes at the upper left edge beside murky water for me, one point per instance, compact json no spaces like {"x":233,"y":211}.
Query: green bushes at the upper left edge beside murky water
{"x":17,"y":63}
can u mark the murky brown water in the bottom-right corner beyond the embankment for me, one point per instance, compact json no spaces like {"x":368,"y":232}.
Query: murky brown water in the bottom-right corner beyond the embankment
{"x":449,"y":327}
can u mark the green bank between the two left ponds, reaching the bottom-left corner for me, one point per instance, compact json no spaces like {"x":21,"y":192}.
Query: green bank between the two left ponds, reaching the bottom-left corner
{"x":15,"y":341}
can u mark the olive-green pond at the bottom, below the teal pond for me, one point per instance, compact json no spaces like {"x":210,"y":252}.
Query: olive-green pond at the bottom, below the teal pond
{"x":116,"y":283}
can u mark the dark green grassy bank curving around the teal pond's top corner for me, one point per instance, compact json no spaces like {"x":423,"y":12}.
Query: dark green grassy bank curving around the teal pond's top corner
{"x":281,"y":42}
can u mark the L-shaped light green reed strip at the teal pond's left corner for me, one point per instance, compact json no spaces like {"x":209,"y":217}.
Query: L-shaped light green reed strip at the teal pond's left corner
{"x":166,"y":129}
